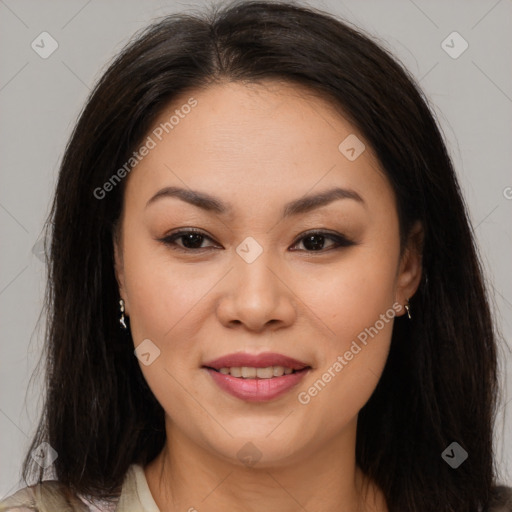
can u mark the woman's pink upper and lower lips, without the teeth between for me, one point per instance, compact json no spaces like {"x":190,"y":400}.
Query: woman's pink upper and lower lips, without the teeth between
{"x":256,"y":390}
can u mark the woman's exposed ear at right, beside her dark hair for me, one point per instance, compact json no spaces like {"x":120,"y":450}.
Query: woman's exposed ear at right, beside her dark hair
{"x":410,"y":269}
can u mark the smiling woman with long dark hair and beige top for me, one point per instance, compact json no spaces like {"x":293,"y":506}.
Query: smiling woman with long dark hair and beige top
{"x":260,"y":206}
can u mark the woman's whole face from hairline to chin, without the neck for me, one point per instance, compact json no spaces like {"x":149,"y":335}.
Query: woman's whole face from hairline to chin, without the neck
{"x":243,"y":276}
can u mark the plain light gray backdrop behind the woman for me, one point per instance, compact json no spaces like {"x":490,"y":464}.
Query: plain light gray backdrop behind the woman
{"x":41,"y":98}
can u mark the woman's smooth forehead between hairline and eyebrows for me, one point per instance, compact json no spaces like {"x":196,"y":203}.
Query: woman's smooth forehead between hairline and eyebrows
{"x":256,"y":142}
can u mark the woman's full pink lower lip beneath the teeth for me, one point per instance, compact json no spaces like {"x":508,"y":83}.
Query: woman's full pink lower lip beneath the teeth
{"x":257,"y":390}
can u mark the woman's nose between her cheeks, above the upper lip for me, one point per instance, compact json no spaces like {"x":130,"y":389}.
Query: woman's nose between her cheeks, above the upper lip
{"x":257,"y":296}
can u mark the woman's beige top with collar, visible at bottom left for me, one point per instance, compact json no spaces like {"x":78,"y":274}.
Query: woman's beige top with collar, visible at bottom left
{"x":135,"y":497}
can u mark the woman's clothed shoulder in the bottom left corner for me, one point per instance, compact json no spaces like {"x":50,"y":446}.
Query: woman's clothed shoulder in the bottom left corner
{"x":51,"y":496}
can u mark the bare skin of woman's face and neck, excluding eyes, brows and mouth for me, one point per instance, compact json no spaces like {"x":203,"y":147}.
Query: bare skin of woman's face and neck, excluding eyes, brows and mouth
{"x":258,"y":147}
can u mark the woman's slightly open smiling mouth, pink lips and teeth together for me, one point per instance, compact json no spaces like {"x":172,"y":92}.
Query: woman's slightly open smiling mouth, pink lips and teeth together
{"x":256,"y":378}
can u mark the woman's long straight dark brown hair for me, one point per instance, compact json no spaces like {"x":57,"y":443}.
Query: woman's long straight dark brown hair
{"x":439,"y":383}
